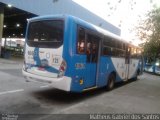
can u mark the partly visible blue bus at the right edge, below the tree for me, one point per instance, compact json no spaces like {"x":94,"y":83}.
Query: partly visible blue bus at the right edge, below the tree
{"x":152,"y":65}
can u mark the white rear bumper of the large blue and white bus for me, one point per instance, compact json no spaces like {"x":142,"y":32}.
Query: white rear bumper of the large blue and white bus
{"x":63,"y":83}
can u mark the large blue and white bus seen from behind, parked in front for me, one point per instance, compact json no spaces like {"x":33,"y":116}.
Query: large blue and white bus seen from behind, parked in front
{"x":73,"y":55}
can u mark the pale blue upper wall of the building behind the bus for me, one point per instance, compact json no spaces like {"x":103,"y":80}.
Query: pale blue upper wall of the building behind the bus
{"x":48,"y":7}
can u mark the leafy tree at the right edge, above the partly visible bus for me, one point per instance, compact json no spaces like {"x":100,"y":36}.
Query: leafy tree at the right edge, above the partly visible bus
{"x":149,"y":31}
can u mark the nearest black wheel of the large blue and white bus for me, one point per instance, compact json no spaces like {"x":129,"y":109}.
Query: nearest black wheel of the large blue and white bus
{"x":111,"y":81}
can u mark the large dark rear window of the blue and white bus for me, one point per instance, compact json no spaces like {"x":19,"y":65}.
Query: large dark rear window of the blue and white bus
{"x":45,"y":34}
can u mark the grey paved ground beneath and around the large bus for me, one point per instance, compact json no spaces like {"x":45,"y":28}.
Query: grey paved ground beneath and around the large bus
{"x":28,"y":98}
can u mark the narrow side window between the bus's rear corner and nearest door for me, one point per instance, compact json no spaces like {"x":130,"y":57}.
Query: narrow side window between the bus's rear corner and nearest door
{"x":81,"y":41}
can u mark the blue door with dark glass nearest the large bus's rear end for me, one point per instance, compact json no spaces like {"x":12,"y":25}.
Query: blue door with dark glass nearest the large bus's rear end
{"x":92,"y":51}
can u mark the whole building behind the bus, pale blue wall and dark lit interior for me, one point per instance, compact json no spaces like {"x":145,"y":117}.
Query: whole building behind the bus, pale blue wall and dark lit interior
{"x":14,"y":15}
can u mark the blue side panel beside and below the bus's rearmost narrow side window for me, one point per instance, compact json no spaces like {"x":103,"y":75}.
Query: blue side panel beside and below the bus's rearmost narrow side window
{"x":78,"y":64}
